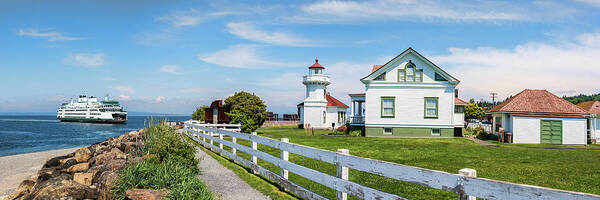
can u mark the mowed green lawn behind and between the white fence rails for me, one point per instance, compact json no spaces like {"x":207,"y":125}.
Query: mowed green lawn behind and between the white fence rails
{"x":568,"y":169}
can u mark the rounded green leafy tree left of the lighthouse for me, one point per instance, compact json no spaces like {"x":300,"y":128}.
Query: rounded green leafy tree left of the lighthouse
{"x":246,"y":109}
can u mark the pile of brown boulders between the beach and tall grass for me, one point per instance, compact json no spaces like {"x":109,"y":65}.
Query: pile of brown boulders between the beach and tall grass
{"x":87,"y":173}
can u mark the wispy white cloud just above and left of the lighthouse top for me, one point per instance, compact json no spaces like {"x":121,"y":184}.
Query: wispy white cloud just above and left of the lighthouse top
{"x":241,"y":56}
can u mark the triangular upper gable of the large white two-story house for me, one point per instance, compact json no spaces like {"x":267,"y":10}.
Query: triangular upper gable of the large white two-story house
{"x":409,"y":66}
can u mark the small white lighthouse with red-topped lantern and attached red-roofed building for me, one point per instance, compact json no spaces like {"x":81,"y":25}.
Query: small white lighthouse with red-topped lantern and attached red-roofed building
{"x":319,"y":109}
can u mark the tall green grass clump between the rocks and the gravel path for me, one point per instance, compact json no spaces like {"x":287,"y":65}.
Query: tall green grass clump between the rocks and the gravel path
{"x":169,"y":165}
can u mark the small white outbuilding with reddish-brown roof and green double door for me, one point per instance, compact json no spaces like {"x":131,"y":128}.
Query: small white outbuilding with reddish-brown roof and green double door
{"x":540,"y":117}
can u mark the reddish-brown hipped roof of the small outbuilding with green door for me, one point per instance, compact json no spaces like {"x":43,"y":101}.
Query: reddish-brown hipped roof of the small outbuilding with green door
{"x":537,"y":101}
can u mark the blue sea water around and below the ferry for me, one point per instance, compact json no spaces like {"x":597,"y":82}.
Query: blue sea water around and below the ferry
{"x":27,"y":133}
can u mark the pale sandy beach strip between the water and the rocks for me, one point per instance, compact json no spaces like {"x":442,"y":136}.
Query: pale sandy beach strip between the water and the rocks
{"x":16,"y":168}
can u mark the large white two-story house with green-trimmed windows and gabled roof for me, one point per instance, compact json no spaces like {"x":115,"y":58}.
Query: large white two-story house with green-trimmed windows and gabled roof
{"x":409,"y":96}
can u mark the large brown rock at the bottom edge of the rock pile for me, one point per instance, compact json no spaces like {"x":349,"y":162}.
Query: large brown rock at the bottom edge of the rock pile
{"x":61,"y":187}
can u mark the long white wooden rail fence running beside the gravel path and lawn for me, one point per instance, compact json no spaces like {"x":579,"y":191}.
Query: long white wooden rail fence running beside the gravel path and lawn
{"x":465,"y":184}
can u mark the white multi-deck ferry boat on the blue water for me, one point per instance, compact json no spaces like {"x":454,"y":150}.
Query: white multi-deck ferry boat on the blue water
{"x":89,"y":109}
